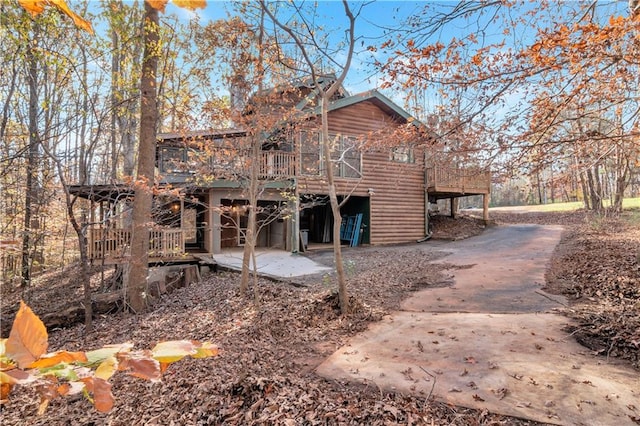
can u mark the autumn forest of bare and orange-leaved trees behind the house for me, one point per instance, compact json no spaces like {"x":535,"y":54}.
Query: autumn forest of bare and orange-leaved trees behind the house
{"x":553,"y":110}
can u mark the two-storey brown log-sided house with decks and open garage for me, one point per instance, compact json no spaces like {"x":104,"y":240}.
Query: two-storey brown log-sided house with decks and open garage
{"x":388,"y":190}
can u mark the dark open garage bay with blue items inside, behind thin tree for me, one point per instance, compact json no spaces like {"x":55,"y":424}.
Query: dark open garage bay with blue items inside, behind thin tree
{"x":316,"y":219}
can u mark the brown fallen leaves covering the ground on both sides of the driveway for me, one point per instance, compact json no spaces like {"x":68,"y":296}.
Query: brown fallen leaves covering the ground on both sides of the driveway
{"x":268,"y":352}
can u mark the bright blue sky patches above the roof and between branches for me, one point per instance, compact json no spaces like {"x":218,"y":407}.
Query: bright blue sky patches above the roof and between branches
{"x":377,"y":18}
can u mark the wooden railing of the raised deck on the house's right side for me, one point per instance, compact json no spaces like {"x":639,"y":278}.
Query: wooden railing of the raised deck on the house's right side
{"x":460,"y":179}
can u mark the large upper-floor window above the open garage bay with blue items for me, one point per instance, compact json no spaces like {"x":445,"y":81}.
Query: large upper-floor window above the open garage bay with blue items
{"x":346,"y":159}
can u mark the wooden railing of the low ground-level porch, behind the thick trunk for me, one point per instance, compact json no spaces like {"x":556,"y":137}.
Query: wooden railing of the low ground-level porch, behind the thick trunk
{"x":116,"y":243}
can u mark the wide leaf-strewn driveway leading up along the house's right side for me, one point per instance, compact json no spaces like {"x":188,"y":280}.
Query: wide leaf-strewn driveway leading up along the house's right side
{"x":492,"y":340}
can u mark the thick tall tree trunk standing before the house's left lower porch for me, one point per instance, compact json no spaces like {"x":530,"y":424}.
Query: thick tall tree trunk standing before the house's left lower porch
{"x":137,"y":284}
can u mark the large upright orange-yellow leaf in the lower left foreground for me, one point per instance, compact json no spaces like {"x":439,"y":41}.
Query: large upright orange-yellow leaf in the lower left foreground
{"x":28,"y":338}
